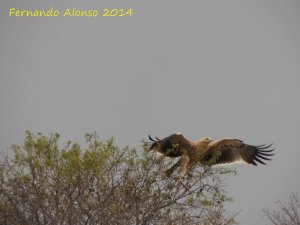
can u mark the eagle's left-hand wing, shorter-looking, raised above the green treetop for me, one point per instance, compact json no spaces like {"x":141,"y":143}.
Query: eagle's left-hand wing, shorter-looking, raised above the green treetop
{"x":172,"y":146}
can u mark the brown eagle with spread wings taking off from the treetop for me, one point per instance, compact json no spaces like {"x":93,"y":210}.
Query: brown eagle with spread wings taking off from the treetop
{"x":208,"y":152}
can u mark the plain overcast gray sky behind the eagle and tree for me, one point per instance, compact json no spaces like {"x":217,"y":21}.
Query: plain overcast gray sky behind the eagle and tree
{"x":205,"y":68}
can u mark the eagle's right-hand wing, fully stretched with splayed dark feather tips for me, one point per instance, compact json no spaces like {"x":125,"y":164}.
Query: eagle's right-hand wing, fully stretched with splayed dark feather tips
{"x":233,"y":150}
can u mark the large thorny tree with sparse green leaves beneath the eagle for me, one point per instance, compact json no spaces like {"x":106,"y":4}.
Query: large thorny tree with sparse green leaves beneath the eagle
{"x":102,"y":184}
